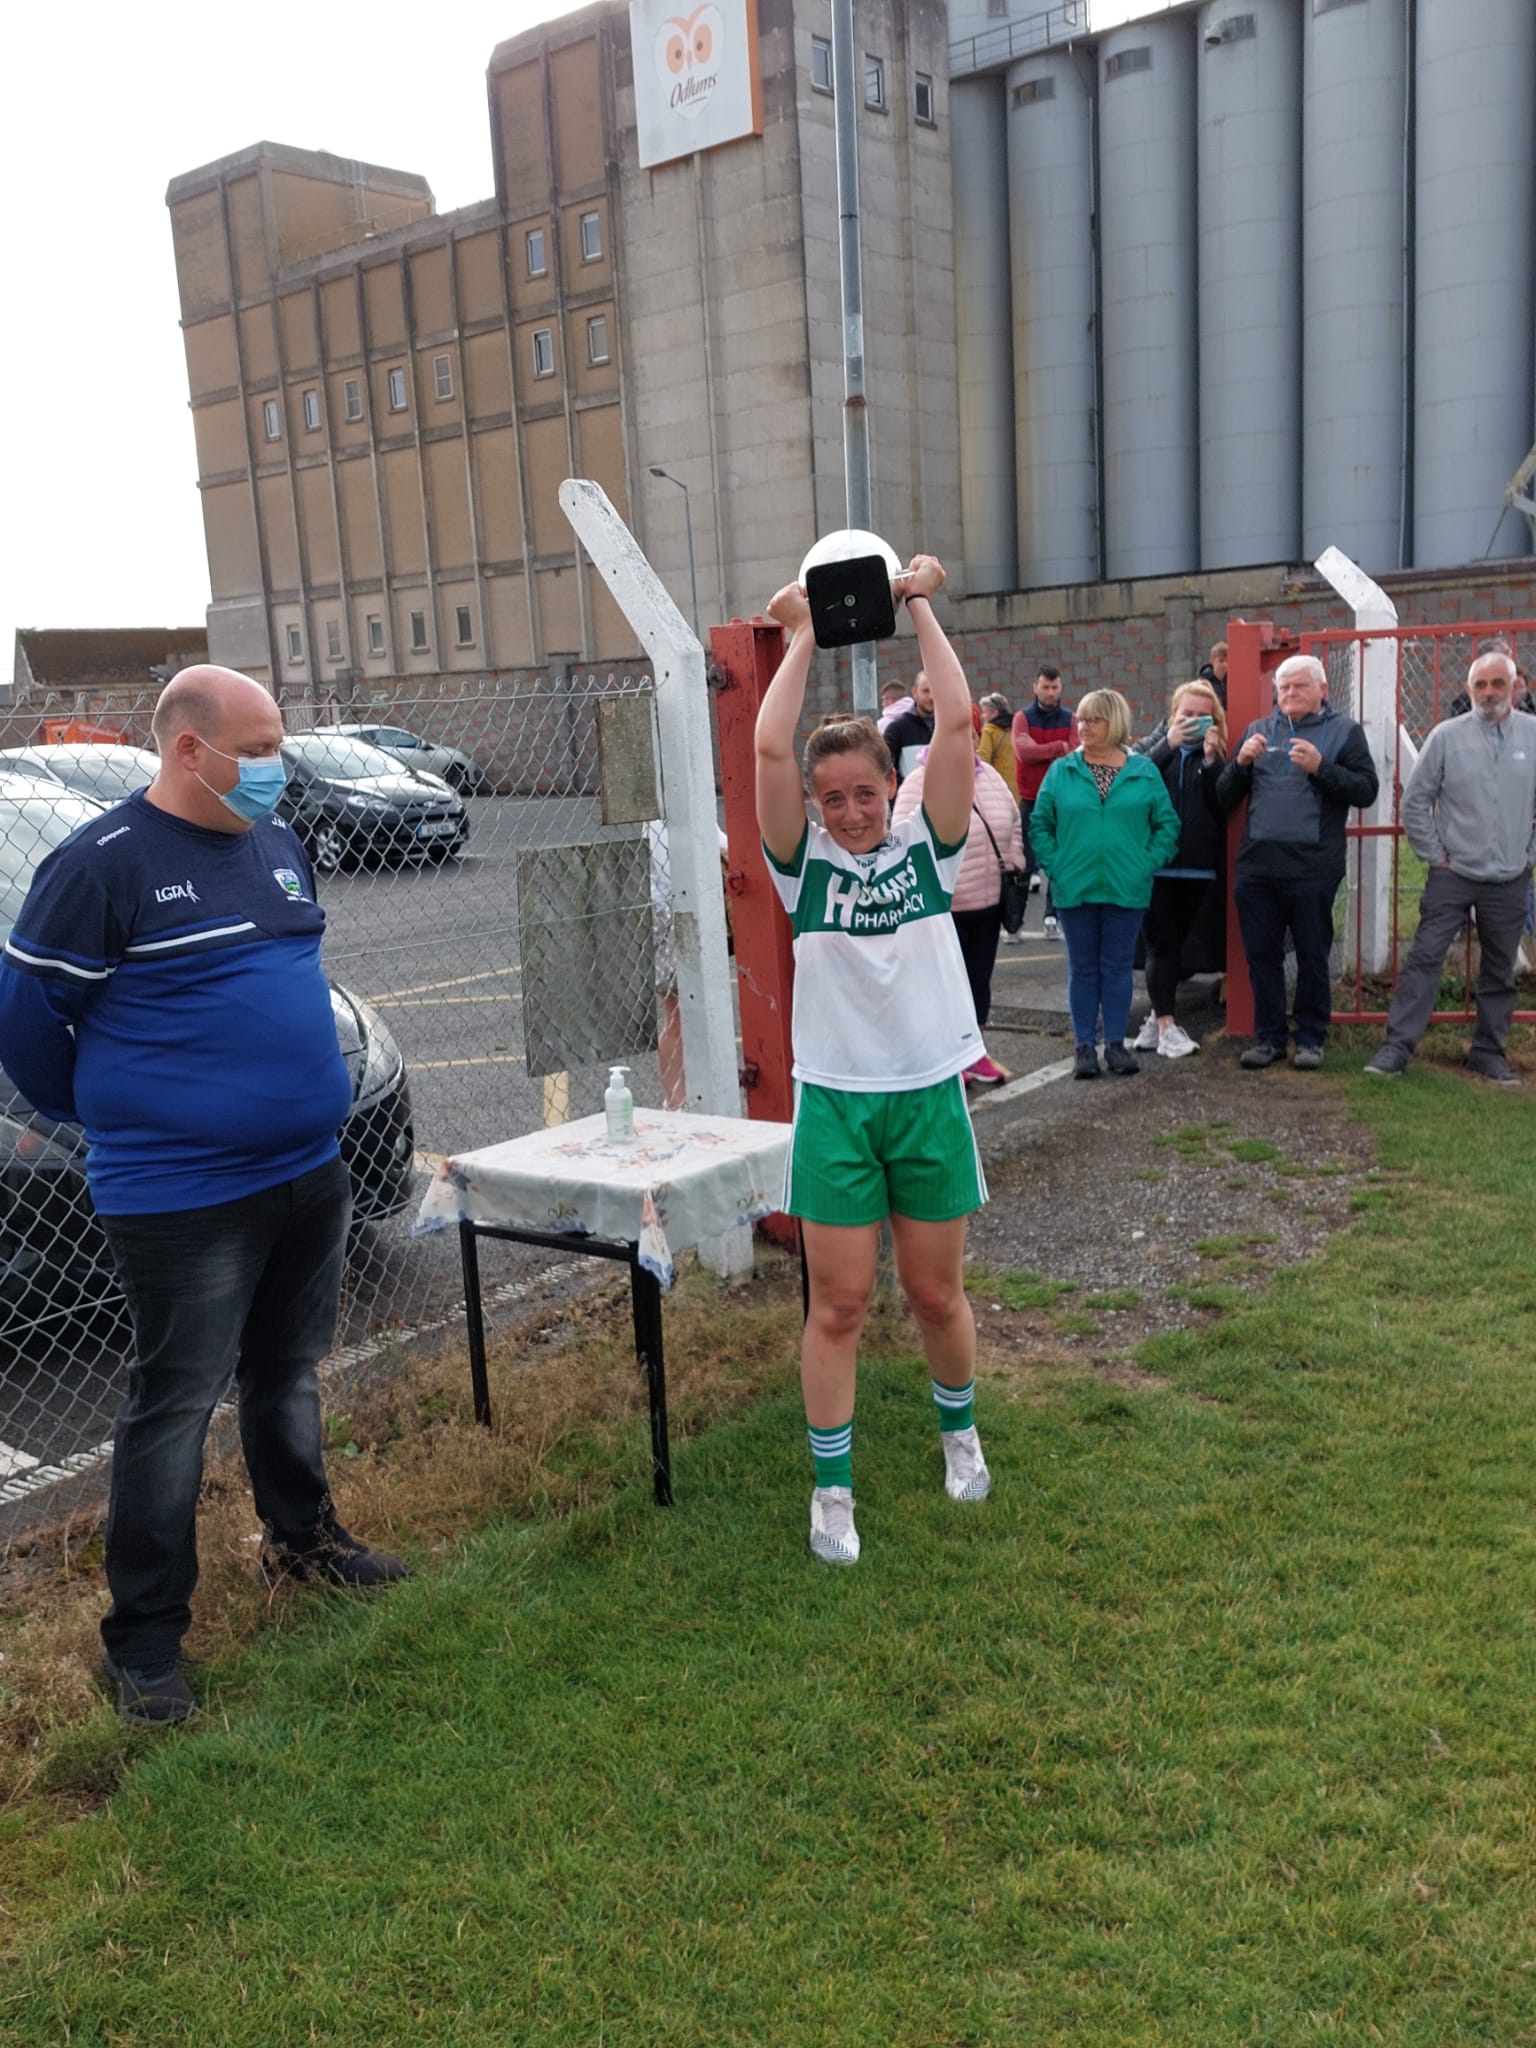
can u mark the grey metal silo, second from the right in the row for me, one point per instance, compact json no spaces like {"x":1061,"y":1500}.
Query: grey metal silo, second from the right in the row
{"x":1355,"y":212}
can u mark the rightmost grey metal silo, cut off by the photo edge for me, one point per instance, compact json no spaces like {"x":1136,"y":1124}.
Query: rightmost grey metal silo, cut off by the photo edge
{"x":1476,"y":79}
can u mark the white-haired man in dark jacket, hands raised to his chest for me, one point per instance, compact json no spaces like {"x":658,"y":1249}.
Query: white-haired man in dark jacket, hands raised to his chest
{"x":1302,"y":771}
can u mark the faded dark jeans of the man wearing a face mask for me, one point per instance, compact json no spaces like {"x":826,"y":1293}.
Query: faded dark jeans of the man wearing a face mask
{"x":243,"y":1289}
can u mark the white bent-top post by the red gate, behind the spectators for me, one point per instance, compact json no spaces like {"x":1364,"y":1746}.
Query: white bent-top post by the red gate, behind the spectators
{"x":1375,"y":706}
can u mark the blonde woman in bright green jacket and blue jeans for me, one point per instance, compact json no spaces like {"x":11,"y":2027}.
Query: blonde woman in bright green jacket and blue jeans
{"x":1101,"y":828}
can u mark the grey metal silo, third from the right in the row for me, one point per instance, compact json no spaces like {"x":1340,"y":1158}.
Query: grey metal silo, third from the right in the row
{"x":1250,"y":282}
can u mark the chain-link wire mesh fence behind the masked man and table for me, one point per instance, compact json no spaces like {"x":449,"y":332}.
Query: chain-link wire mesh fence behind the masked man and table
{"x":493,"y":949}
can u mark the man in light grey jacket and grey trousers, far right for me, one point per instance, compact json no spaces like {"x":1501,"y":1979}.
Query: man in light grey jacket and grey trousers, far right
{"x":1469,"y":812}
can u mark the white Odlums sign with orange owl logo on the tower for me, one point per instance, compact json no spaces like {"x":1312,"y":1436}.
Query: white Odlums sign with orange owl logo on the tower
{"x":695,"y":77}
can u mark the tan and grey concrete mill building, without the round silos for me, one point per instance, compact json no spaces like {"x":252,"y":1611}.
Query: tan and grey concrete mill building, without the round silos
{"x":388,"y":398}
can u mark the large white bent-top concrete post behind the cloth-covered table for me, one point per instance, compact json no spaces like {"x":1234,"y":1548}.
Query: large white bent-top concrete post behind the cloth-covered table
{"x":683,"y":722}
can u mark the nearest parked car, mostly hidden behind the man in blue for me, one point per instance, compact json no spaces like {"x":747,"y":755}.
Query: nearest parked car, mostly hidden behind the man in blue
{"x":54,"y":1263}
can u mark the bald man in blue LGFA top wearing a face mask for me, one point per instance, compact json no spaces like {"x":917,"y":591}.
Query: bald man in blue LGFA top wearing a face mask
{"x":163,"y":988}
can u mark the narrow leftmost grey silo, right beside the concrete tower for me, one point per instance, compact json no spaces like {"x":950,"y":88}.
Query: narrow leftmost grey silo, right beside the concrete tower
{"x":984,"y":323}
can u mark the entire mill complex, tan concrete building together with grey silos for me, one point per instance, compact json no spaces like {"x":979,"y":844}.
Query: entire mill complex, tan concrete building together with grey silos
{"x":1195,"y":296}
